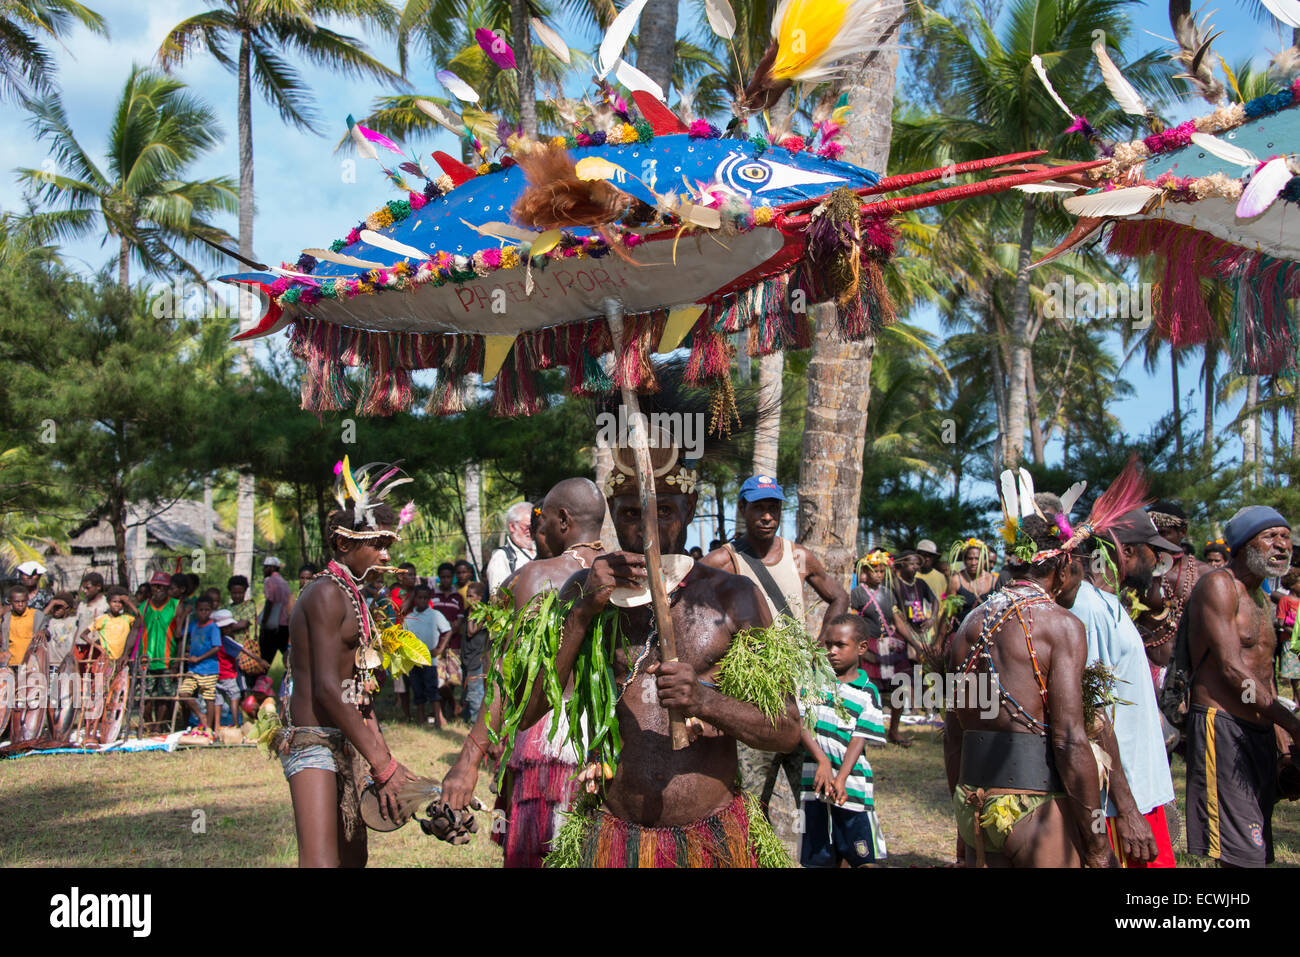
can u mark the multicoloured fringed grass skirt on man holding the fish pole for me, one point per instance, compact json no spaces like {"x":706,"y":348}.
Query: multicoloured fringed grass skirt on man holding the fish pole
{"x":723,"y":841}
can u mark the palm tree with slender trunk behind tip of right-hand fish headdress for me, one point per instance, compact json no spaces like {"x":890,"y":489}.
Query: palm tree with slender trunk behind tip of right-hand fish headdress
{"x":1007,"y":110}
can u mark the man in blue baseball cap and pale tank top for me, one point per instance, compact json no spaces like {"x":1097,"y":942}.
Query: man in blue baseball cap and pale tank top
{"x":781,"y":569}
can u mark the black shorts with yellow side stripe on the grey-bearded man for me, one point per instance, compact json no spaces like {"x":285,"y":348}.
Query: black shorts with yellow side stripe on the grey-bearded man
{"x":1232,"y":787}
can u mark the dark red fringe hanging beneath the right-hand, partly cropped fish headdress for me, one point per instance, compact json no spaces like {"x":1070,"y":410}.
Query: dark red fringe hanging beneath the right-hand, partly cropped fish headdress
{"x":1264,"y":337}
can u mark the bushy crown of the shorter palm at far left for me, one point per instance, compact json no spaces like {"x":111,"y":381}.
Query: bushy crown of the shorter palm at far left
{"x":141,"y":200}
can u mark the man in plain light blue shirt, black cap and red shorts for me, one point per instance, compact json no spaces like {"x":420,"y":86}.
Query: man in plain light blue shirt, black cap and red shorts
{"x":1115,"y":640}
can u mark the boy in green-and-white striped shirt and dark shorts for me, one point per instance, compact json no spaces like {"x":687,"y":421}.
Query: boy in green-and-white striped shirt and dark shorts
{"x":840,"y":826}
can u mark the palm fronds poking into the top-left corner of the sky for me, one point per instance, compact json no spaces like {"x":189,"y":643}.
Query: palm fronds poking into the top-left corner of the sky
{"x":27,"y":68}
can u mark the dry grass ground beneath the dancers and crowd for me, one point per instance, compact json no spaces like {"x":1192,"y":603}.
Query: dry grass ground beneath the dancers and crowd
{"x":138,"y":811}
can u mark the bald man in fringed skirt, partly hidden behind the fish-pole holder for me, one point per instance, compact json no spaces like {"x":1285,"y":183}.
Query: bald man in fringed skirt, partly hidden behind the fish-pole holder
{"x":540,"y":785}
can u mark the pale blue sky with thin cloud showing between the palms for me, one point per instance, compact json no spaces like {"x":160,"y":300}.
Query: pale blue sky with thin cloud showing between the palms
{"x":305,"y":200}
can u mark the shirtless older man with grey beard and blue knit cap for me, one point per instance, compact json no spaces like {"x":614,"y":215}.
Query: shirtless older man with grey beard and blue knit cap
{"x":1232,"y":750}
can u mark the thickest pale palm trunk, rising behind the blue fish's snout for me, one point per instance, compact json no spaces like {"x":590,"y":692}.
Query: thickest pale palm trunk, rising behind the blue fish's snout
{"x":839,"y":375}
